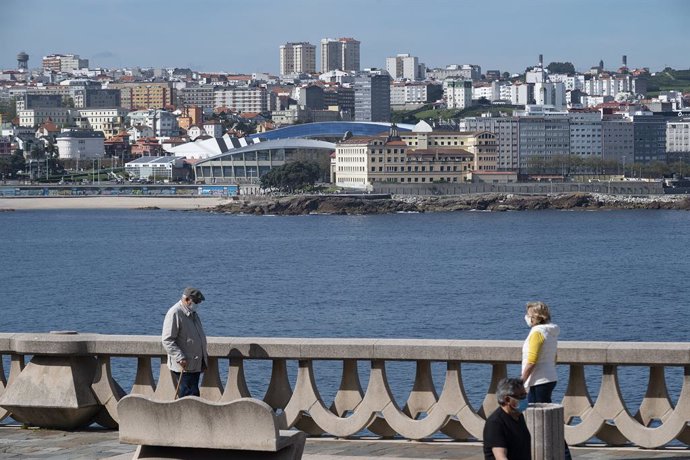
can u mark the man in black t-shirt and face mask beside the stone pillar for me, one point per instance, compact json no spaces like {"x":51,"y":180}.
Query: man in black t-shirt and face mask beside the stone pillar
{"x":506,"y":436}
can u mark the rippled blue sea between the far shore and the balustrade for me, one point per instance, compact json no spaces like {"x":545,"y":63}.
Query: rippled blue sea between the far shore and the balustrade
{"x":607,"y":275}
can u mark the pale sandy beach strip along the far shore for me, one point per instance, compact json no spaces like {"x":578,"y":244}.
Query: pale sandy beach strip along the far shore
{"x":109,"y":202}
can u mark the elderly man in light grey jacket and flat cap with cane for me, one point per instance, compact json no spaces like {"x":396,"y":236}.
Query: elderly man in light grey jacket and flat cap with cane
{"x":184,"y":341}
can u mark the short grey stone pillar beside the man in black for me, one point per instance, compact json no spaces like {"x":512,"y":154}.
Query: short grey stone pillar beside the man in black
{"x":545,"y":423}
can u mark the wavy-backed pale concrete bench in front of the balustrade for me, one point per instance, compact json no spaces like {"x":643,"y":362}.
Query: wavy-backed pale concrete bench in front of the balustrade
{"x":193,"y":428}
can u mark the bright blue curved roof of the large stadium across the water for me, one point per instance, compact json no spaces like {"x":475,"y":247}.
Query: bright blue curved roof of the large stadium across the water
{"x":330,"y":129}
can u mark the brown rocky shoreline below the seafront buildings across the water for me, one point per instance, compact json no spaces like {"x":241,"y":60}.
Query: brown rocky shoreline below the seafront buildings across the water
{"x":354,"y":205}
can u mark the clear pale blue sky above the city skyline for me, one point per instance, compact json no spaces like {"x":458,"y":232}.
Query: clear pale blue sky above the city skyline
{"x":245,"y":36}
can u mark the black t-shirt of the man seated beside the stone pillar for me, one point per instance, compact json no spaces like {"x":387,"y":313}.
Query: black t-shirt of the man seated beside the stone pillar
{"x":502,"y":430}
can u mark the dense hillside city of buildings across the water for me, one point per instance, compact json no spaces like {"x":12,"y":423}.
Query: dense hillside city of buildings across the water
{"x":400,"y":123}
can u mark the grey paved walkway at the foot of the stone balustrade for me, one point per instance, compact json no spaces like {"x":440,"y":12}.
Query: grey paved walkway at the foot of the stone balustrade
{"x":16,"y":442}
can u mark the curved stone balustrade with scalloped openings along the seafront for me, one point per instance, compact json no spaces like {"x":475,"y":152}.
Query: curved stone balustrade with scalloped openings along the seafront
{"x":68,"y":382}
